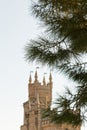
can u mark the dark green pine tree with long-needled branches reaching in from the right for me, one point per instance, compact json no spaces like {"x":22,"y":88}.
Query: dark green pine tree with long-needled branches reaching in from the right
{"x":63,"y":47}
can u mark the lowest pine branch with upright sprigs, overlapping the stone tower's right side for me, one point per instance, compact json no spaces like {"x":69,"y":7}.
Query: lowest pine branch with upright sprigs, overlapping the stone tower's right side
{"x":67,"y":109}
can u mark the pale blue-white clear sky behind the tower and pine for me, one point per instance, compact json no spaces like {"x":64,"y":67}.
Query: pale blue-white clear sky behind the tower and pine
{"x":17,"y":27}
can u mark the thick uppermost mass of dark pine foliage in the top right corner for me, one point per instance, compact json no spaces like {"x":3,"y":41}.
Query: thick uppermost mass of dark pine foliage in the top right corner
{"x":66,"y":19}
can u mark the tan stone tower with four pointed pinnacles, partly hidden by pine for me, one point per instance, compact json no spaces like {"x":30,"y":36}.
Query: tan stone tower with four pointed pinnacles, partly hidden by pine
{"x":39,"y":96}
